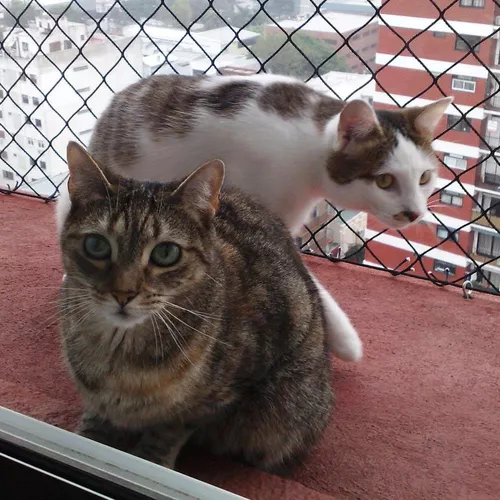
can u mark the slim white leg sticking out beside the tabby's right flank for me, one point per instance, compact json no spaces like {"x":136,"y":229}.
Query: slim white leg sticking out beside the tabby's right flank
{"x":343,"y":338}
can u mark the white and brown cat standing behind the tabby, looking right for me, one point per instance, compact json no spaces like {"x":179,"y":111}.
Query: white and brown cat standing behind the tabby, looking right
{"x":282,"y":142}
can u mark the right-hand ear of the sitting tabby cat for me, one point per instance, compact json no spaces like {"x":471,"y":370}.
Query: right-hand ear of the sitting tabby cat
{"x":201,"y":190}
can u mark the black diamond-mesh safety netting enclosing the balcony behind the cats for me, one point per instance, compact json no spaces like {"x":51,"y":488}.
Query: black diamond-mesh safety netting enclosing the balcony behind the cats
{"x":331,"y":48}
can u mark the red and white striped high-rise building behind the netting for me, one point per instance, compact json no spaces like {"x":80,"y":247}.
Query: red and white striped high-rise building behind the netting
{"x":435,"y":48}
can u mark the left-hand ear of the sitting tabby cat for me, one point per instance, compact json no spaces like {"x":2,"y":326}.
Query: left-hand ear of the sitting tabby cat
{"x":87,"y":180}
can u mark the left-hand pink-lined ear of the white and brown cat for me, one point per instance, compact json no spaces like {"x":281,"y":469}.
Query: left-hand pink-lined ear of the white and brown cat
{"x":357,"y":122}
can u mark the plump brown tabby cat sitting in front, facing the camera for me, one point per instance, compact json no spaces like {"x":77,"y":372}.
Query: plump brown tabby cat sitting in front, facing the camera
{"x":184,"y":316}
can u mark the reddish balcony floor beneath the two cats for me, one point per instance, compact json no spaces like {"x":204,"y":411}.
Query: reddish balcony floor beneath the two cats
{"x":416,"y":419}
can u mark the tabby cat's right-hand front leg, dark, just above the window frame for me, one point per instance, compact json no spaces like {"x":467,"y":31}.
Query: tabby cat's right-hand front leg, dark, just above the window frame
{"x":162,"y":443}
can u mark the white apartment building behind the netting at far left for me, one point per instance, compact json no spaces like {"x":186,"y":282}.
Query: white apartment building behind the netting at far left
{"x":51,"y":91}
